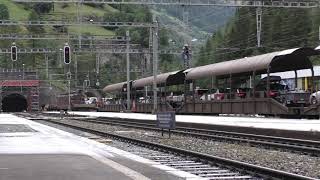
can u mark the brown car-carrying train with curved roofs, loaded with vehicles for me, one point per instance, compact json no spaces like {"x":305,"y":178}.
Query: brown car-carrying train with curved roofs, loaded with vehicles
{"x":235,"y":87}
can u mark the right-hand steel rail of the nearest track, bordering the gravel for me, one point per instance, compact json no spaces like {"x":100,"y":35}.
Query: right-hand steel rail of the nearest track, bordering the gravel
{"x":241,"y":166}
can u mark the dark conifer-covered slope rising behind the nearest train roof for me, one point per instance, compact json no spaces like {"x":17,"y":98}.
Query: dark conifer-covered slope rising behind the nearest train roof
{"x":281,"y":29}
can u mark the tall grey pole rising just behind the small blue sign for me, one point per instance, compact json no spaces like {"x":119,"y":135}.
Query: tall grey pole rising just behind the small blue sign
{"x":155,"y":62}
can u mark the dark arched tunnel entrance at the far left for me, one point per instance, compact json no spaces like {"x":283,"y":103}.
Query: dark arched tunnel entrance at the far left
{"x":14,"y":103}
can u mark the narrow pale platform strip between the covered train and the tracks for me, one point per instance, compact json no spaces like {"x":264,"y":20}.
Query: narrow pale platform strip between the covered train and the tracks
{"x":251,"y":122}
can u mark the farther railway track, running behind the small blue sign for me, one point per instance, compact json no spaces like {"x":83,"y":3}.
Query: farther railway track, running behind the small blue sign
{"x":294,"y":145}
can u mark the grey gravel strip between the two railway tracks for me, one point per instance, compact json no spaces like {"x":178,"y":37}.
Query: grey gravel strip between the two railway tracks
{"x":286,"y":161}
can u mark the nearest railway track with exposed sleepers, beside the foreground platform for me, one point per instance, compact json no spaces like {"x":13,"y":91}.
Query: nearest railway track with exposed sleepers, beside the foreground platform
{"x":202,"y":165}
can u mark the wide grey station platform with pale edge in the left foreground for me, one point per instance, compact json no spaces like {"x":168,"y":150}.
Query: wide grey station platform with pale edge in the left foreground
{"x":33,"y":151}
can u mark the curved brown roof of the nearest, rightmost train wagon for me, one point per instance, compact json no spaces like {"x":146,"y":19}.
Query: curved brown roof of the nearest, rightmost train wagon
{"x":287,"y":60}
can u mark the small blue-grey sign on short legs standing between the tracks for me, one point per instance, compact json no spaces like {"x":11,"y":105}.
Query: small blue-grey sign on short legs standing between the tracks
{"x":166,"y":120}
